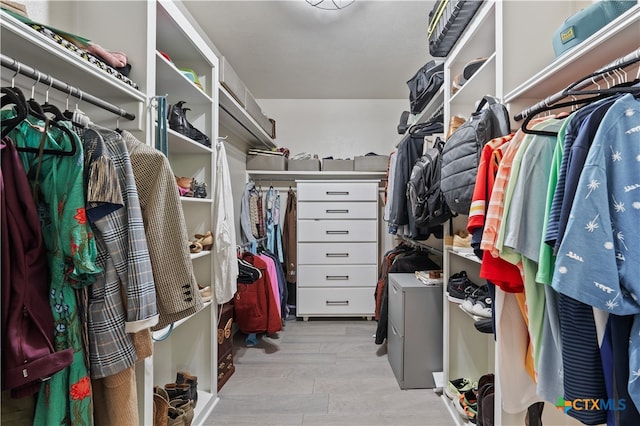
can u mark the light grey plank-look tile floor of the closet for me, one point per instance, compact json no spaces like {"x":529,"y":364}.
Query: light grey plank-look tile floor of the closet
{"x":321,"y":372}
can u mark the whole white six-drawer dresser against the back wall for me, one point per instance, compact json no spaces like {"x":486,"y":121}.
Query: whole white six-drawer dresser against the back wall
{"x":337,"y":247}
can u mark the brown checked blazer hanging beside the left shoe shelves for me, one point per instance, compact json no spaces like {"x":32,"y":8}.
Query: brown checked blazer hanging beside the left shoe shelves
{"x":177,"y":293}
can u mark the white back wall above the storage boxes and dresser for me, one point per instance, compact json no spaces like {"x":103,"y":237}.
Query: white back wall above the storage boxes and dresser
{"x":342,"y":128}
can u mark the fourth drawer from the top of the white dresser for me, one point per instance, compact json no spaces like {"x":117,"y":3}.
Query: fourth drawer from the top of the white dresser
{"x":337,"y":253}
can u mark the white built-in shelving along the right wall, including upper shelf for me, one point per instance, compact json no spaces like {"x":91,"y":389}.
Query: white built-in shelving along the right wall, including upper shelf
{"x":521,"y":70}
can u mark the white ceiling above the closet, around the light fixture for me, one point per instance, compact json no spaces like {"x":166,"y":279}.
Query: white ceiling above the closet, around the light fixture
{"x":288,"y":49}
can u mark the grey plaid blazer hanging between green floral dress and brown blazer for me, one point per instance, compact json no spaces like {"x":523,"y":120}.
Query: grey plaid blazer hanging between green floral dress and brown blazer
{"x":122,"y":300}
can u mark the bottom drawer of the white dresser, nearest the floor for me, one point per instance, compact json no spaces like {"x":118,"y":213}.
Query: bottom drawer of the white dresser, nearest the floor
{"x":335,"y":301}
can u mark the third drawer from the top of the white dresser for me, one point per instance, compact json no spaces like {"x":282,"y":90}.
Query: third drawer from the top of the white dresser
{"x":337,"y":230}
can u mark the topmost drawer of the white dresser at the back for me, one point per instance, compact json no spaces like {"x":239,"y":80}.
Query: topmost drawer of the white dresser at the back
{"x":337,"y":191}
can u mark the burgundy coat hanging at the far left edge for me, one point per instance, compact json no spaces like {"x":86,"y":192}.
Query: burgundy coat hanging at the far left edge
{"x":28,"y":354}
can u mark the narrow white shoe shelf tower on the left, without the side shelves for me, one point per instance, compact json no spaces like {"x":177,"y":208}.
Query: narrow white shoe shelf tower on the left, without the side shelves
{"x":189,"y":345}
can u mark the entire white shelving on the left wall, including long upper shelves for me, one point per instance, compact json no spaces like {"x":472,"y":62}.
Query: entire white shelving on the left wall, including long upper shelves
{"x":161,"y":26}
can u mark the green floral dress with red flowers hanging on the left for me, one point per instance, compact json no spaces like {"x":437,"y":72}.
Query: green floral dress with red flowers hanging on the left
{"x":58,"y":187}
